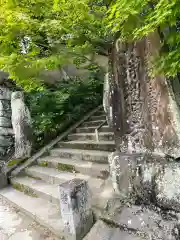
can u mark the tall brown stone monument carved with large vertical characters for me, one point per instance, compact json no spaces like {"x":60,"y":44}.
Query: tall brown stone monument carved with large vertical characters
{"x":146,"y":114}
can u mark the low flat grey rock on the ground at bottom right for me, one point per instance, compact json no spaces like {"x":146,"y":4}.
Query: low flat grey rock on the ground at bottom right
{"x":145,"y":222}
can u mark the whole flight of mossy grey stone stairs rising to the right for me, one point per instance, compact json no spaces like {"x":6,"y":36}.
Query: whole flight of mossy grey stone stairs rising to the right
{"x":34,"y":191}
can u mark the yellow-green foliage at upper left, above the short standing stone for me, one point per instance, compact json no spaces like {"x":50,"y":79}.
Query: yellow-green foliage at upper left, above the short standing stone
{"x":53,"y":32}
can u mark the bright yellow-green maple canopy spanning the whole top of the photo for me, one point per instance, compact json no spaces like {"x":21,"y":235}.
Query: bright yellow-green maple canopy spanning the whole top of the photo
{"x":44,"y":34}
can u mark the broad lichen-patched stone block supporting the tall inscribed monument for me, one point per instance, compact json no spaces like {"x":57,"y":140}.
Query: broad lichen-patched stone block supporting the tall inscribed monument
{"x":148,"y":178}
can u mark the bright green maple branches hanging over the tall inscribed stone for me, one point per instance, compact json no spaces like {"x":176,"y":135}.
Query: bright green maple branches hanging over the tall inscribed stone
{"x":136,"y":19}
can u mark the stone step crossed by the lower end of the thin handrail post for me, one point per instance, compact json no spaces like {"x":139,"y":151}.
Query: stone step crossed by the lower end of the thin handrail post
{"x":103,"y":136}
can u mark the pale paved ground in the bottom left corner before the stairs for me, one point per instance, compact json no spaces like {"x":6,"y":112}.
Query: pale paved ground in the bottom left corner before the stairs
{"x":15,"y":226}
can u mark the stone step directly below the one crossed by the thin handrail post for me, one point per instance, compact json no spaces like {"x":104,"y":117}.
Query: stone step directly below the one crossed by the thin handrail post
{"x":89,"y":145}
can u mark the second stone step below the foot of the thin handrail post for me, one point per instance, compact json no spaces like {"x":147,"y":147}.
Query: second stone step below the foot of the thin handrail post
{"x":85,"y":155}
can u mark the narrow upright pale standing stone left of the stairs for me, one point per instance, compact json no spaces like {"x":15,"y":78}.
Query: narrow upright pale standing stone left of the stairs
{"x":21,"y":122}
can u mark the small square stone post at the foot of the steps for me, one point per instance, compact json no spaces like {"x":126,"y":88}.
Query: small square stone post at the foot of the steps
{"x":75,"y":209}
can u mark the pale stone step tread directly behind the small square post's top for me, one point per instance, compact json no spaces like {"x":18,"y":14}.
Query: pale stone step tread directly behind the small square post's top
{"x":53,"y":176}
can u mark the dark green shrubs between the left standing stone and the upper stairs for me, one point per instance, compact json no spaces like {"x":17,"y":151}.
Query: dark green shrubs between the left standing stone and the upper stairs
{"x":58,"y":107}
